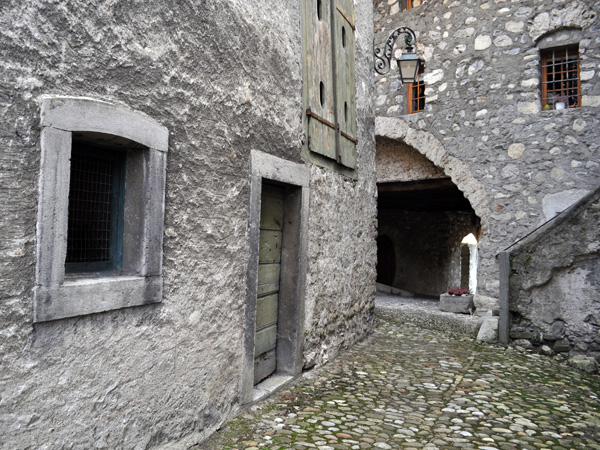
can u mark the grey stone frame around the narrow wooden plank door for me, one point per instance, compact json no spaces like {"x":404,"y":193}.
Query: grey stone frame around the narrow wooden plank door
{"x":290,"y":335}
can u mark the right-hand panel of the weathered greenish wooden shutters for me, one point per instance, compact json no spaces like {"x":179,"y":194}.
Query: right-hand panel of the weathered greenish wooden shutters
{"x":345,"y":76}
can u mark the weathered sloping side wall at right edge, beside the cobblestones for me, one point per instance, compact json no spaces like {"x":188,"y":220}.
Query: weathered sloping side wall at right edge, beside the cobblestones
{"x":555,"y":282}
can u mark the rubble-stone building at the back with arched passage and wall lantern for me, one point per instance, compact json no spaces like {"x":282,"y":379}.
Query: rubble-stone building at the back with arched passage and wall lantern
{"x":482,"y":144}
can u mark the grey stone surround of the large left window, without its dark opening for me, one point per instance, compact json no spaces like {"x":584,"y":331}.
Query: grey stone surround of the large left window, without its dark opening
{"x":56,"y":296}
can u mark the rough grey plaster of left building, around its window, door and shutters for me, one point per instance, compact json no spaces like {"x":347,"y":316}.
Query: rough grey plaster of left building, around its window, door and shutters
{"x":225,"y":78}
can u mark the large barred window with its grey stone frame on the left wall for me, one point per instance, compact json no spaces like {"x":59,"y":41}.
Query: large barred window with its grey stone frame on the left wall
{"x":100,"y":164}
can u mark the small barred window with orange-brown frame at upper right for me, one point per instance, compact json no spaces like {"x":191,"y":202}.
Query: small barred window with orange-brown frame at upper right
{"x":560,"y":79}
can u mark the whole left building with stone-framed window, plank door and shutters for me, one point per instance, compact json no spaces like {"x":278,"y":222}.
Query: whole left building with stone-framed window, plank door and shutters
{"x":174,"y":202}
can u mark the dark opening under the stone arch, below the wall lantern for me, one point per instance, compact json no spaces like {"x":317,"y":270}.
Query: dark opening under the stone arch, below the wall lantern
{"x":426,"y":220}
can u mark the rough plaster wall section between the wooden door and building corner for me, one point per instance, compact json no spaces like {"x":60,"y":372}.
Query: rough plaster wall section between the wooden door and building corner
{"x":343,"y":219}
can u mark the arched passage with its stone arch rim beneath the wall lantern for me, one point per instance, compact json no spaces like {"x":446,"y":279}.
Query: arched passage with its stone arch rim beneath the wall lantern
{"x":428,"y":202}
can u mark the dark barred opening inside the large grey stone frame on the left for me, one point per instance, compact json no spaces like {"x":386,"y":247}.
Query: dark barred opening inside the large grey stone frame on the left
{"x":95,"y":217}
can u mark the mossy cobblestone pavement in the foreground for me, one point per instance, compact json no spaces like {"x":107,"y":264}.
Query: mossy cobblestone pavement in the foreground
{"x":410,"y":388}
